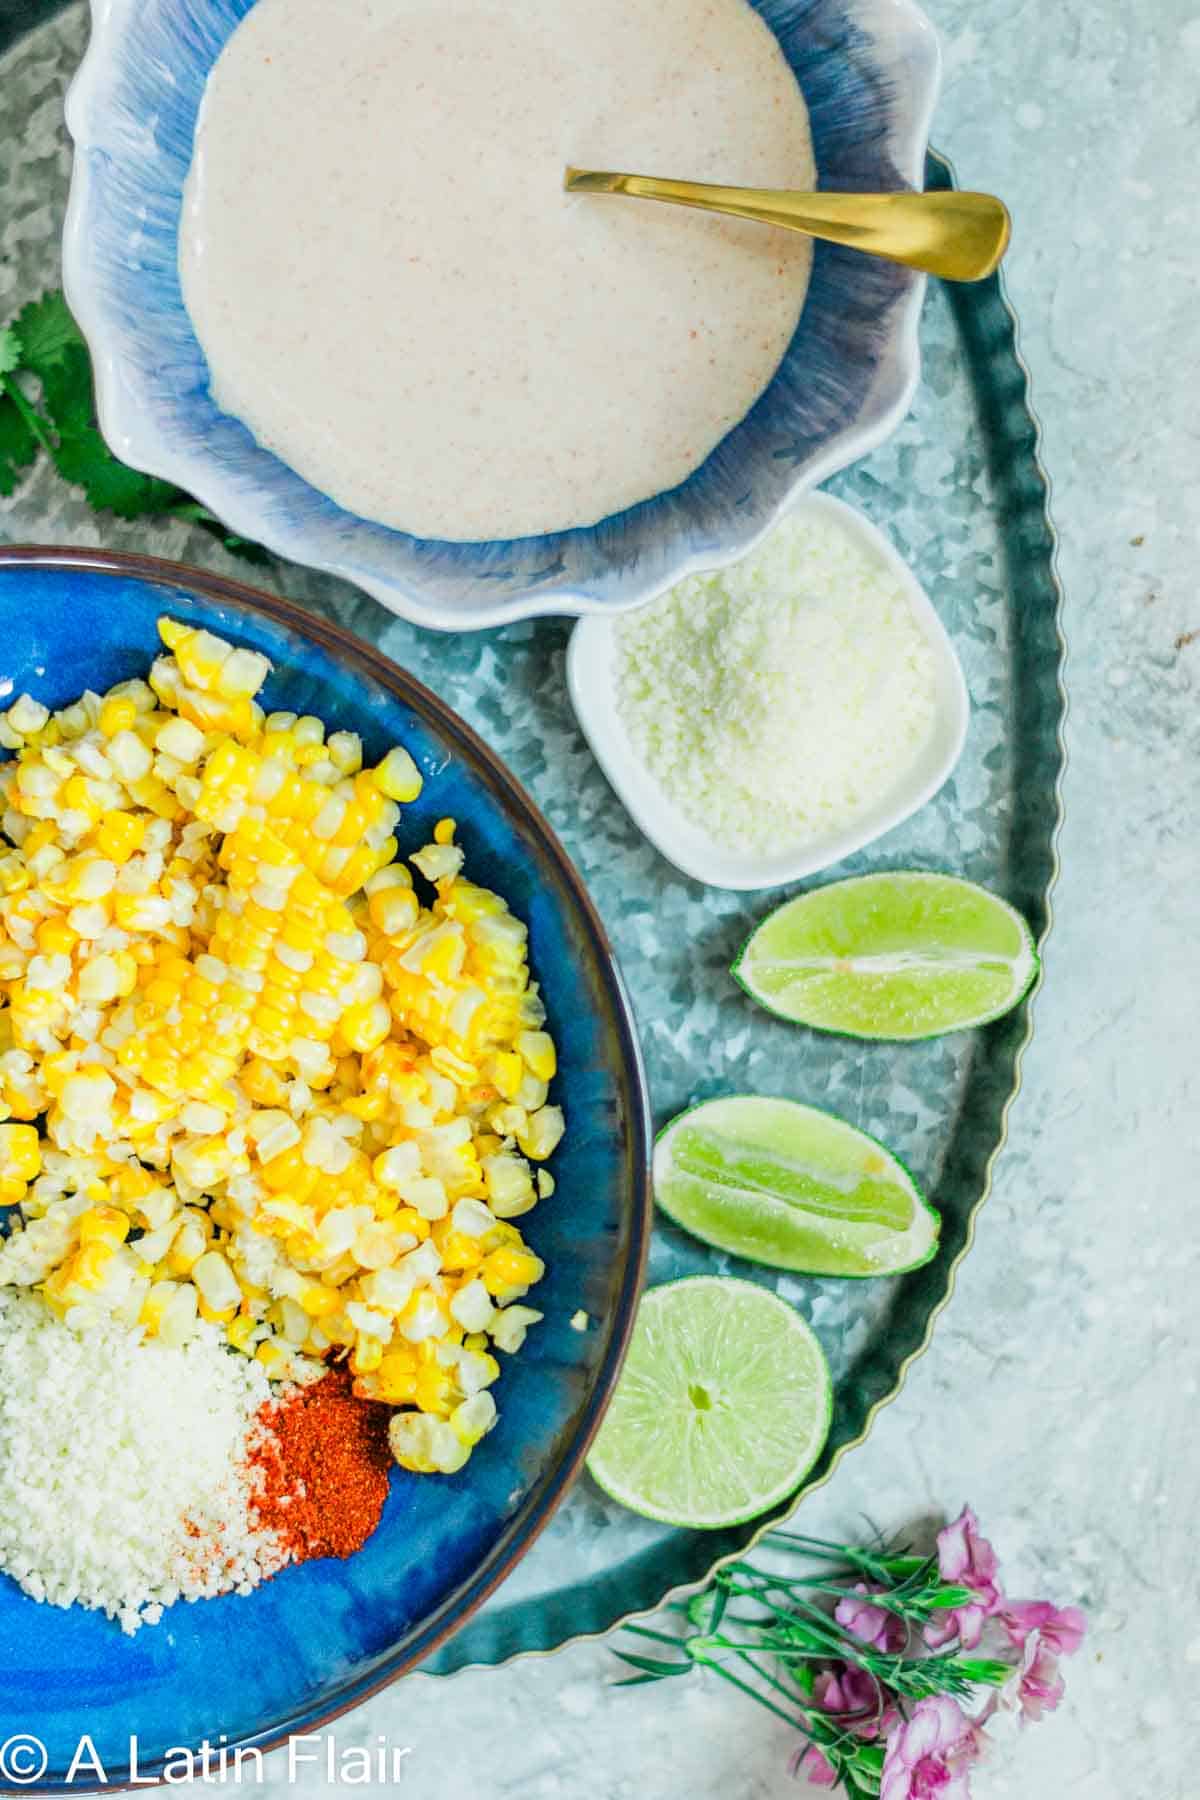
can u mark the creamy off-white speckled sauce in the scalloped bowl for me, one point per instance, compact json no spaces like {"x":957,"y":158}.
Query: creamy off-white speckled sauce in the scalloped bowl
{"x":399,"y":298}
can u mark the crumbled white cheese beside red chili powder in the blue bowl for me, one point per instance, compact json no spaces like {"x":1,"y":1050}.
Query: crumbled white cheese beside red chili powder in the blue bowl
{"x":123,"y":1466}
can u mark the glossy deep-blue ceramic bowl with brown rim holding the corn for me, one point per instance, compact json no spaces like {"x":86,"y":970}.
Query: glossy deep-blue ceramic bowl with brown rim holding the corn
{"x":321,"y":1637}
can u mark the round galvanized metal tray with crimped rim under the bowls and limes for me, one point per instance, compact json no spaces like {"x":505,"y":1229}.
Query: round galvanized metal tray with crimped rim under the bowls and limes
{"x":963,"y":496}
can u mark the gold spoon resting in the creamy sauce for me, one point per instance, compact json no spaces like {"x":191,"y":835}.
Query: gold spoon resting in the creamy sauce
{"x":956,"y":235}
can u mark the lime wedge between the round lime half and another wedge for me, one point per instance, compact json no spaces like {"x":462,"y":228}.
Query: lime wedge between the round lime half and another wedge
{"x":793,"y":1187}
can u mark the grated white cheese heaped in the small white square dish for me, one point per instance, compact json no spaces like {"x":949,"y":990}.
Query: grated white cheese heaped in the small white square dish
{"x":784,"y":697}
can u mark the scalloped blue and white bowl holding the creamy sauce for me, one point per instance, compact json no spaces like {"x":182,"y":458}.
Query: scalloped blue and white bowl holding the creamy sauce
{"x":870,"y":76}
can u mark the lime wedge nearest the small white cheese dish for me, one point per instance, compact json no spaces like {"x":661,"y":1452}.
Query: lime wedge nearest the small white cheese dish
{"x":891,"y":957}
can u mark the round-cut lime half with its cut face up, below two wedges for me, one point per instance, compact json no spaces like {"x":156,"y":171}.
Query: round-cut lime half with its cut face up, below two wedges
{"x":722,"y":1408}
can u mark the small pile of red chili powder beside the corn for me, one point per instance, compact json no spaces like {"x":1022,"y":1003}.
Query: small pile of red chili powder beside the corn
{"x":321,"y":1468}
